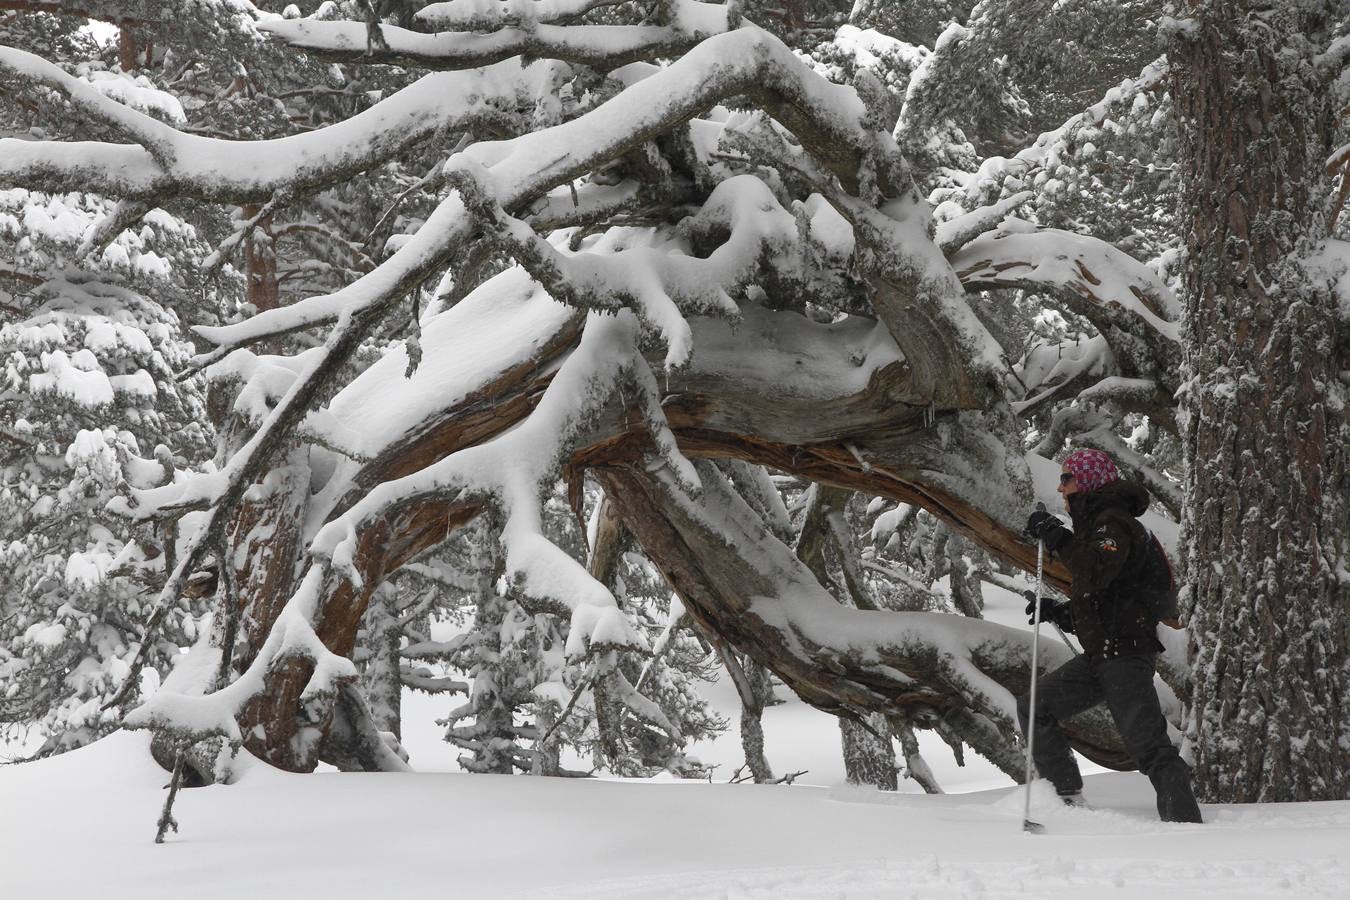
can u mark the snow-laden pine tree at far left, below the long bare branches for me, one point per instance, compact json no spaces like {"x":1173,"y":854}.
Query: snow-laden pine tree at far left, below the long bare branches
{"x":90,"y":391}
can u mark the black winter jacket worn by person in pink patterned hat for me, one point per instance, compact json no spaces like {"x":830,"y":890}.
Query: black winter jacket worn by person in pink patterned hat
{"x":1106,"y":554}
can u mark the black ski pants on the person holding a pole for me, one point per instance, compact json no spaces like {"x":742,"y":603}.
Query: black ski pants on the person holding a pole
{"x":1127,"y":685}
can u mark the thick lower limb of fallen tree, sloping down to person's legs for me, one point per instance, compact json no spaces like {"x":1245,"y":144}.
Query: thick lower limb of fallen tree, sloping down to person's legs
{"x":842,"y":660}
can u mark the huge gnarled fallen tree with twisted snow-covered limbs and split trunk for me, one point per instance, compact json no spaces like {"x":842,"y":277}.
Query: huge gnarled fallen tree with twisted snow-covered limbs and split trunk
{"x":686,"y":284}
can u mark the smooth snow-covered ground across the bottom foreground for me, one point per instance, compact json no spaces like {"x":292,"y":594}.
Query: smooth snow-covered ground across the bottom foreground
{"x":82,"y":826}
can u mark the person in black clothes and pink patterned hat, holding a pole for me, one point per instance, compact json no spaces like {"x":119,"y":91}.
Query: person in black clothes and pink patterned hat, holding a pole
{"x":1108,"y":554}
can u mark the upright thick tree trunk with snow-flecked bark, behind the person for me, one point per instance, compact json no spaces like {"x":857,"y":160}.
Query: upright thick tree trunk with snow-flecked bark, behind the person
{"x":1266,"y":431}
